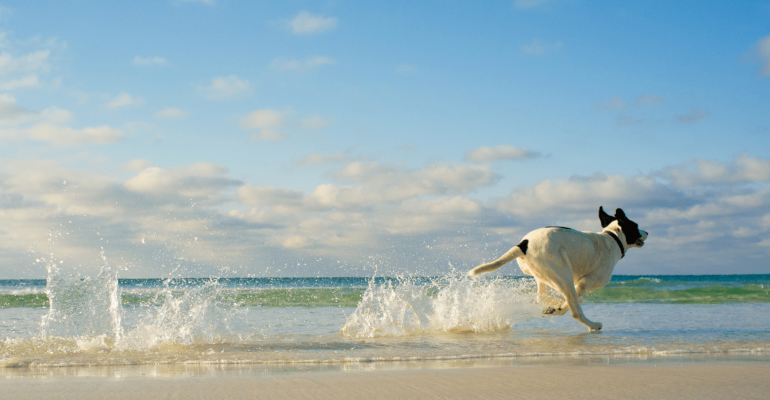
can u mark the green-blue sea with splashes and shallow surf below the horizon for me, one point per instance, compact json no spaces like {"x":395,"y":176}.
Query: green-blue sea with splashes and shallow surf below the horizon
{"x":107,"y":321}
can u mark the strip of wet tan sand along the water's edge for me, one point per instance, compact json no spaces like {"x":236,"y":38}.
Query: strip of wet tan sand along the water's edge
{"x":671,"y":380}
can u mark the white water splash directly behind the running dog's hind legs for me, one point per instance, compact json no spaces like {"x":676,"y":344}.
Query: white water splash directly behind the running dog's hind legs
{"x":454,"y":304}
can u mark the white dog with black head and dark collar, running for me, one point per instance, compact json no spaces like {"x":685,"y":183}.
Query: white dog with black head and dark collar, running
{"x":572,"y":262}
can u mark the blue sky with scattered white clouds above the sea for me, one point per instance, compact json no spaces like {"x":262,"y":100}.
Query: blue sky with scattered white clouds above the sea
{"x":336,"y":138}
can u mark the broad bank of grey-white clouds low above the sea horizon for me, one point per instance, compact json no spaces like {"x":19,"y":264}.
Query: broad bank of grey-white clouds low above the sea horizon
{"x":399,"y":216}
